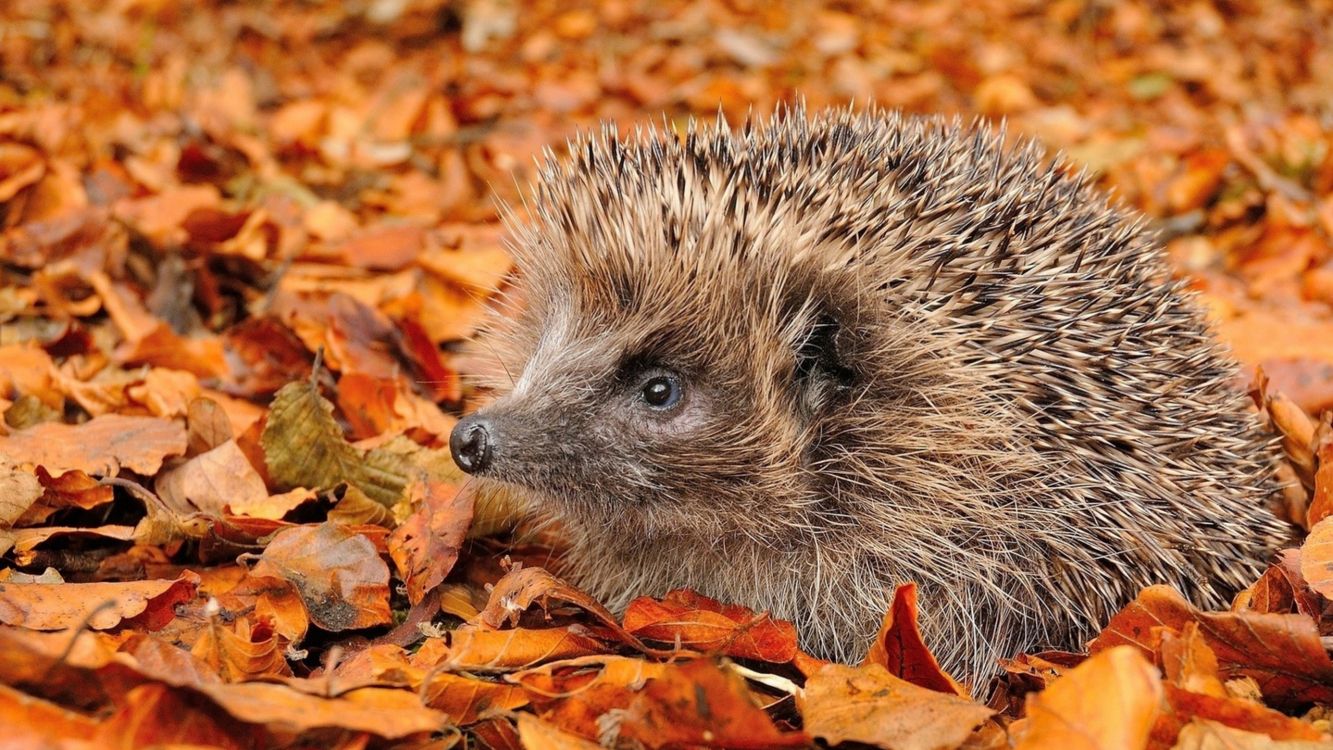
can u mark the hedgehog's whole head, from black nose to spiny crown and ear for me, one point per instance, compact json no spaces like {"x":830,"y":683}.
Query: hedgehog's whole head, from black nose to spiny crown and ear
{"x":692,"y":354}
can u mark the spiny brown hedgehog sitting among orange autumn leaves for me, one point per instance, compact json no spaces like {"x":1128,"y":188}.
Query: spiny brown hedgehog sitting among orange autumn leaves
{"x":799,"y":364}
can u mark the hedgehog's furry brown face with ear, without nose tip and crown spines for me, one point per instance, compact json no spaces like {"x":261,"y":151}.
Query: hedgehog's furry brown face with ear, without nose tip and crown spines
{"x":662,"y":398}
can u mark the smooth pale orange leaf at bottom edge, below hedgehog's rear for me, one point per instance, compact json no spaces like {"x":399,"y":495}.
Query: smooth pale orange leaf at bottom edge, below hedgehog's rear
{"x":1110,"y":701}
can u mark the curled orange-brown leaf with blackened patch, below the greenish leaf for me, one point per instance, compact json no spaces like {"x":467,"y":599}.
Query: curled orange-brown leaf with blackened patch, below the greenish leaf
{"x":339,"y":575}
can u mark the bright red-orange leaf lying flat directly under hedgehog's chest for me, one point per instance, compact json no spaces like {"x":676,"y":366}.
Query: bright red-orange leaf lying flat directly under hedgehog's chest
{"x":699,"y":623}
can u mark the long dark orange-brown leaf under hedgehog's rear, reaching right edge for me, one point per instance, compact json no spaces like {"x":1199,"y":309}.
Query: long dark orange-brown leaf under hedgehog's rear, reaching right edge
{"x":1283,"y":652}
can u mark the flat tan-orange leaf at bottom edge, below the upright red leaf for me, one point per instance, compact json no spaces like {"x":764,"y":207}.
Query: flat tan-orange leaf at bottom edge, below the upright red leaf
{"x":871,"y":705}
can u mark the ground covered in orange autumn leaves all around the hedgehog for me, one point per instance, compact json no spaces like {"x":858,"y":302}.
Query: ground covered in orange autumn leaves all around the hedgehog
{"x":242,"y":242}
